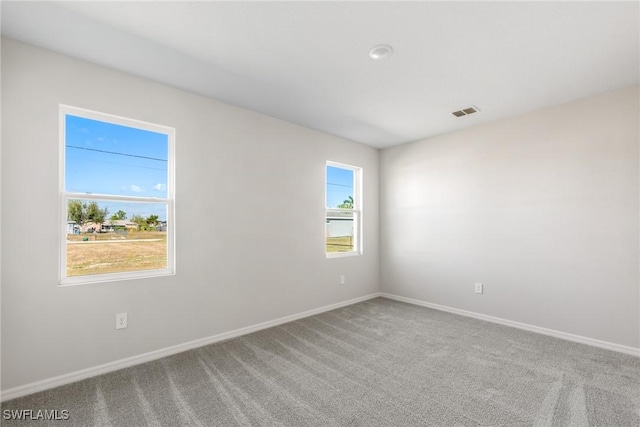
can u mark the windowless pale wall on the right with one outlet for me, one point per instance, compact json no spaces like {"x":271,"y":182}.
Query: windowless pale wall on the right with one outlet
{"x":543,"y":209}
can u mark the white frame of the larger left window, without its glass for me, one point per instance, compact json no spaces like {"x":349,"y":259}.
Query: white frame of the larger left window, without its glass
{"x":65,"y":196}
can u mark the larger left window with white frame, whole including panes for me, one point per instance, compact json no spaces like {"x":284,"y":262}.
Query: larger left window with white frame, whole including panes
{"x":116,"y":193}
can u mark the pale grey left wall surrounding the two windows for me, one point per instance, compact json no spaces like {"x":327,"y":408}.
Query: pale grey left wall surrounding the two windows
{"x":234,"y":167}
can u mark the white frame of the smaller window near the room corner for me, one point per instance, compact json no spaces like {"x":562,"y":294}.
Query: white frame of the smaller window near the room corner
{"x":357,"y":209}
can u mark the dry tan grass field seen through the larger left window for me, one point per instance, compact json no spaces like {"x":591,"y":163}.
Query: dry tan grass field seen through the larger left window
{"x":114,"y":253}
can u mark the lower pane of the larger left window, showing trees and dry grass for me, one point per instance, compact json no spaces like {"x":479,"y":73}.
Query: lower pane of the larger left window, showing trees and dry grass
{"x":115,"y":237}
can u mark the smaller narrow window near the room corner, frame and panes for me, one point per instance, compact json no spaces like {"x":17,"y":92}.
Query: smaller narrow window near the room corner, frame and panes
{"x":343,"y":220}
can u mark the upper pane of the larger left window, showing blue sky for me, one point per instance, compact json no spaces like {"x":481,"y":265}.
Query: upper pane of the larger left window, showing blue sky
{"x":104,"y":158}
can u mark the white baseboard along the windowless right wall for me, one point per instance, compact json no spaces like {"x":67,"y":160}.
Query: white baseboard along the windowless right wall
{"x":544,"y":331}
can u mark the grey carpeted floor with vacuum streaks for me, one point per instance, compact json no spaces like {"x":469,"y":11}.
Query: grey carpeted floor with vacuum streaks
{"x":376,"y":363}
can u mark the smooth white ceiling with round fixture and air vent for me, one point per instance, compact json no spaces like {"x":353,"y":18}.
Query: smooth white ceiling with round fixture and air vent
{"x":308,"y":63}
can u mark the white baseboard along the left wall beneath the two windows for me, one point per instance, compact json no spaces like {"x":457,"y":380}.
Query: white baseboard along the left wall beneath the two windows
{"x":168,"y":351}
